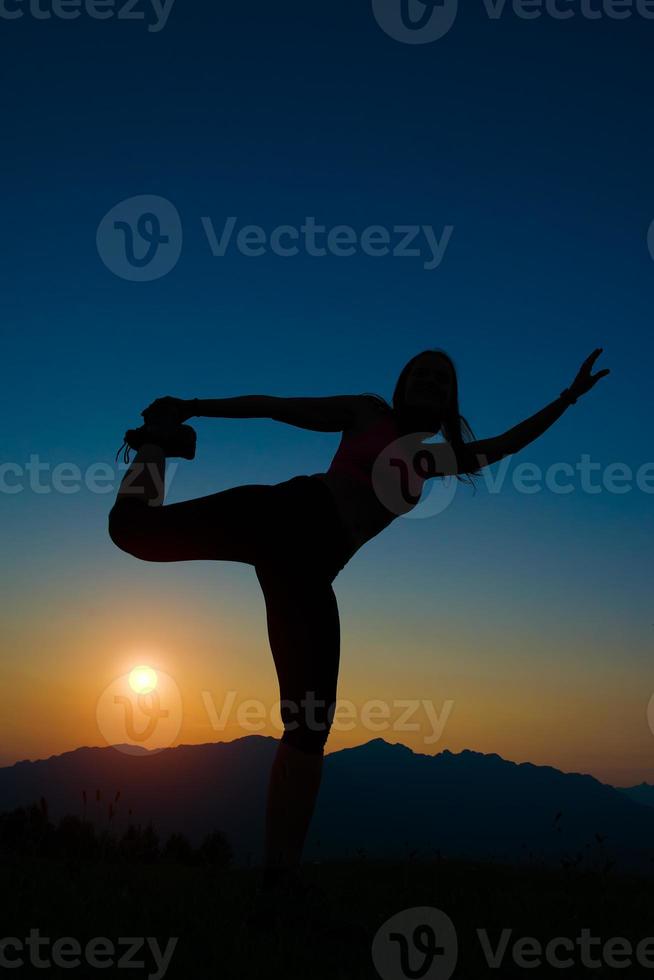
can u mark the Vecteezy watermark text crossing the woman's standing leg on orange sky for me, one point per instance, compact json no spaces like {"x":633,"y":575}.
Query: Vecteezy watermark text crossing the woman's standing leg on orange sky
{"x":400,"y":715}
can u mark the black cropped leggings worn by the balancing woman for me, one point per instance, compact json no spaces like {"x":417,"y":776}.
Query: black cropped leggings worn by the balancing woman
{"x":292,"y":535}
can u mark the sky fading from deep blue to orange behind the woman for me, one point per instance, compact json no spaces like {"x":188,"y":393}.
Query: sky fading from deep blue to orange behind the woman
{"x":530,"y":614}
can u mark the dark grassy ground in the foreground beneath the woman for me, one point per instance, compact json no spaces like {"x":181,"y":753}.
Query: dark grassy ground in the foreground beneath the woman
{"x":205,"y":906}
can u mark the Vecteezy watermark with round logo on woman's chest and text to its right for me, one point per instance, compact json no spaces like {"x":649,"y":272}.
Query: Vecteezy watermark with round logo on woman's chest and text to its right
{"x":403,"y":468}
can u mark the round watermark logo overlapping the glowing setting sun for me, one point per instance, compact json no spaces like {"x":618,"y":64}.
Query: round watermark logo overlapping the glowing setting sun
{"x":140,"y":710}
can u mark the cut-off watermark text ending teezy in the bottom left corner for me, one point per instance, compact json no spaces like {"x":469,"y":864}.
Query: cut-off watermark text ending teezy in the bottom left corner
{"x":99,"y":953}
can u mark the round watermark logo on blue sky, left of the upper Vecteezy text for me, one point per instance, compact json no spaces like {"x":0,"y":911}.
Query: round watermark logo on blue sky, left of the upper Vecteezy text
{"x":140,"y":239}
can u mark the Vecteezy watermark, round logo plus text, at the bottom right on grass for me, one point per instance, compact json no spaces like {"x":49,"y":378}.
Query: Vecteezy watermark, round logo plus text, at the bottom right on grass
{"x":423,"y":942}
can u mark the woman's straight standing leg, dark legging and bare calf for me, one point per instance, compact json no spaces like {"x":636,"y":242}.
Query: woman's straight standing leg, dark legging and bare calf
{"x":304,"y":633}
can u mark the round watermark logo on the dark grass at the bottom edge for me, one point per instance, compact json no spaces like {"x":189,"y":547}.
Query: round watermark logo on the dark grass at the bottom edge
{"x":416,"y":943}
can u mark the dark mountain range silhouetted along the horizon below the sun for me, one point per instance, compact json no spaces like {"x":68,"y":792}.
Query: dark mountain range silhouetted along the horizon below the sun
{"x":377,"y":800}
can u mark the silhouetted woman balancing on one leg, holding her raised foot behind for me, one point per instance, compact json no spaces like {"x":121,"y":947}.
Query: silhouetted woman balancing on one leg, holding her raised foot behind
{"x":299,"y":534}
